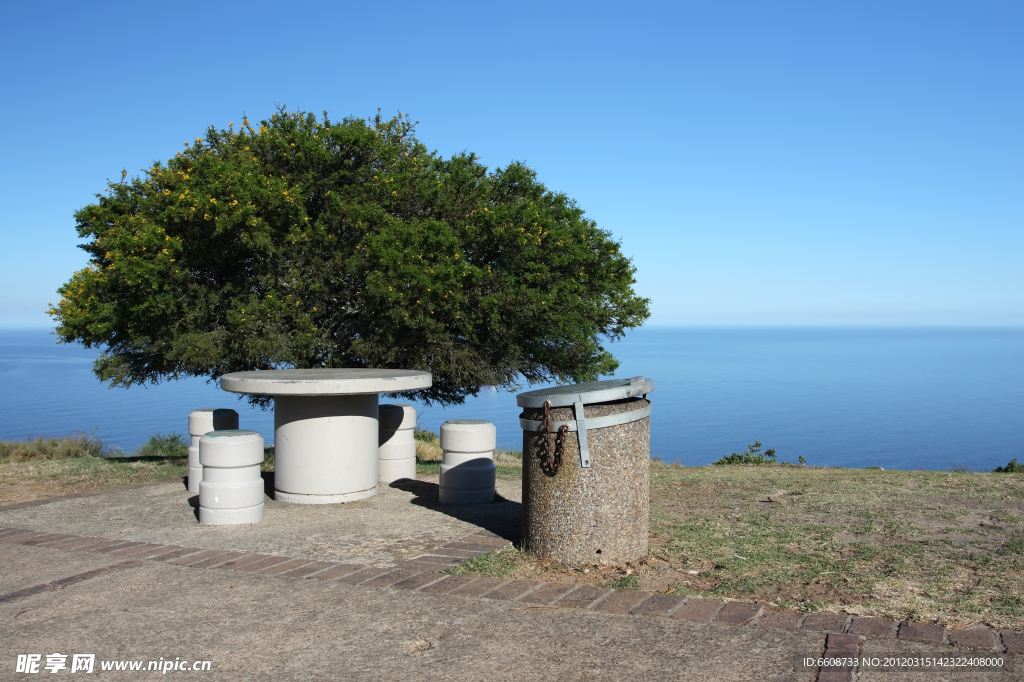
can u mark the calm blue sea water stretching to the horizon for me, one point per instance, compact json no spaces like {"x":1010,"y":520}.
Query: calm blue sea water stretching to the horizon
{"x":903,"y":399}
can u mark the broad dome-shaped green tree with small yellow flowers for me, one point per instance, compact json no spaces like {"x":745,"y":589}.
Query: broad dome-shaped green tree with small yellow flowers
{"x":307,"y":243}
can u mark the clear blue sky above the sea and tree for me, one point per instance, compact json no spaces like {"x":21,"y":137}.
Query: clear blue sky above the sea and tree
{"x":762,"y":163}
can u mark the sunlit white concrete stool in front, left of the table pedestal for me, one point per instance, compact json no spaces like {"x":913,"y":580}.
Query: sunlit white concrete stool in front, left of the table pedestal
{"x":232,"y":490}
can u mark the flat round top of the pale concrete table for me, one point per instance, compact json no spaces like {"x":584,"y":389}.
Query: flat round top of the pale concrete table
{"x":325,"y":382}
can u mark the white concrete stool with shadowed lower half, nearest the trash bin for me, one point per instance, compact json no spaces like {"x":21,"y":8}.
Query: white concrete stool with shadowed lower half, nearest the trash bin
{"x":467,"y":462}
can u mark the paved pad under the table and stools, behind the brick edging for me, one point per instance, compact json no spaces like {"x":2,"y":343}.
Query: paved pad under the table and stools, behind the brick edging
{"x":397,"y":525}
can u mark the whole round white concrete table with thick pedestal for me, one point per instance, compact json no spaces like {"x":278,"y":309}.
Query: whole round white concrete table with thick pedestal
{"x":325,"y":428}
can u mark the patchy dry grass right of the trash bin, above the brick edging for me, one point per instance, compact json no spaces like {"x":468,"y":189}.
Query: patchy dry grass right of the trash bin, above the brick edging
{"x":920,"y":545}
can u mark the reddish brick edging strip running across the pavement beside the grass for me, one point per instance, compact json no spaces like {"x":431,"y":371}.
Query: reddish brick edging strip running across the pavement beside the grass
{"x":421,"y":575}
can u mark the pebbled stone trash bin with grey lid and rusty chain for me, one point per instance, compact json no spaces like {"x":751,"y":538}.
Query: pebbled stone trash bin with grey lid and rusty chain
{"x":586,"y":472}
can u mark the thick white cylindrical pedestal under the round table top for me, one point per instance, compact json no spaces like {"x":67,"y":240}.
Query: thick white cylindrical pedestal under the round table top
{"x":325,"y":448}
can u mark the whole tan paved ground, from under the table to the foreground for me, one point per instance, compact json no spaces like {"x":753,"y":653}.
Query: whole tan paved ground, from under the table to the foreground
{"x":133,"y":602}
